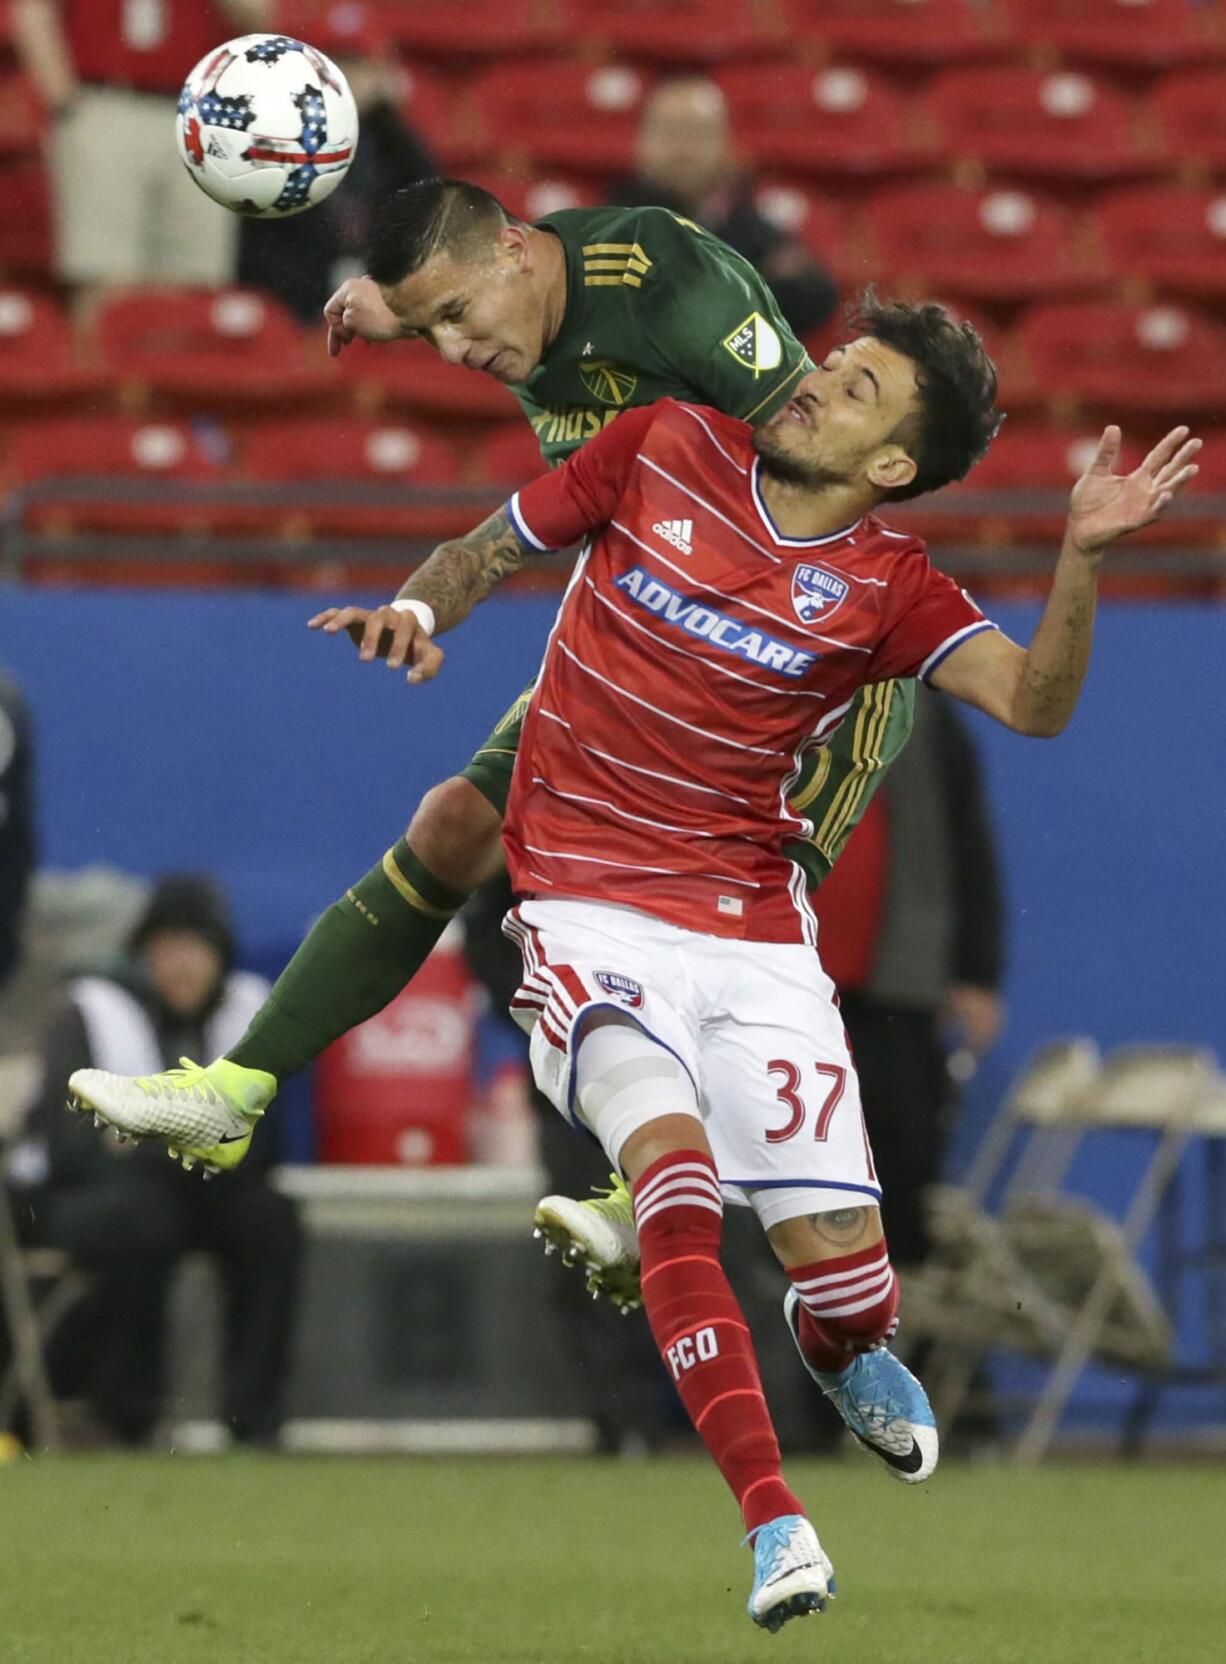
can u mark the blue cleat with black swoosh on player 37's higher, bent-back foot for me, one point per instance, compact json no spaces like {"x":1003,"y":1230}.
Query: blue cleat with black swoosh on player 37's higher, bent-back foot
{"x":881,"y":1402}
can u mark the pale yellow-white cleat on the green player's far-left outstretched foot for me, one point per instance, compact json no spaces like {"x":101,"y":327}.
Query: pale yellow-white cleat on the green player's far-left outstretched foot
{"x":204,"y":1116}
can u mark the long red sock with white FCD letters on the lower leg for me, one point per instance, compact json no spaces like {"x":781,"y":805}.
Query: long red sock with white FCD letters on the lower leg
{"x":703,"y":1334}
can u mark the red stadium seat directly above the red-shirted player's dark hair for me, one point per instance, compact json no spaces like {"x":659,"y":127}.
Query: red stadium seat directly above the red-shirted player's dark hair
{"x":991,"y":245}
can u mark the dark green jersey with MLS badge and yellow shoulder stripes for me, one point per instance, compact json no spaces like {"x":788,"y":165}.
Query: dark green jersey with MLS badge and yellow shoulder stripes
{"x":655,"y":309}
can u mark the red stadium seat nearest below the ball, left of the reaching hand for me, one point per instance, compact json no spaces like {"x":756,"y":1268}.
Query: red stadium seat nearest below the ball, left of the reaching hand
{"x":209,"y":350}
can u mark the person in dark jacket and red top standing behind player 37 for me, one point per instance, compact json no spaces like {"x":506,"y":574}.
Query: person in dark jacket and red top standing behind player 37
{"x":912,"y":933}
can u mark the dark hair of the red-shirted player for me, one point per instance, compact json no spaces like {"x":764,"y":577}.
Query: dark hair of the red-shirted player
{"x":957,"y":418}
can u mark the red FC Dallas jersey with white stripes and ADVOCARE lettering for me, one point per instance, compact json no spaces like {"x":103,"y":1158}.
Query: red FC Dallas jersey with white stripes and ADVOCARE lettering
{"x":698,"y":655}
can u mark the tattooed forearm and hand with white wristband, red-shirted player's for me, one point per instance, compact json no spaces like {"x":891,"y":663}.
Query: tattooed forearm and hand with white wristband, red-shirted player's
{"x":443,"y":592}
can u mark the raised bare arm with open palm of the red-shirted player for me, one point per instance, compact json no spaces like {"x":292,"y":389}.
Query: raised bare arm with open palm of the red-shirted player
{"x":1036,"y":690}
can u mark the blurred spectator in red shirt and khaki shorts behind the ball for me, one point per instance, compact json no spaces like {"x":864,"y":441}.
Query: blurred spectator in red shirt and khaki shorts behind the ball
{"x":109,"y":74}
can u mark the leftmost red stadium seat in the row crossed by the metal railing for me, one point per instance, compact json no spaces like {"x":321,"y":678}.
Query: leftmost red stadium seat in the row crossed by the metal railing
{"x":109,"y":453}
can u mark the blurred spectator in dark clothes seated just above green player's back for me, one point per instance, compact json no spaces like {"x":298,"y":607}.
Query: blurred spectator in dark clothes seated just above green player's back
{"x":686,"y":162}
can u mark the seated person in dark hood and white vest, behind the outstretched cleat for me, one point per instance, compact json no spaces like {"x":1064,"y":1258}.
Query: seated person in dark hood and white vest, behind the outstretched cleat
{"x":127,"y":1214}
